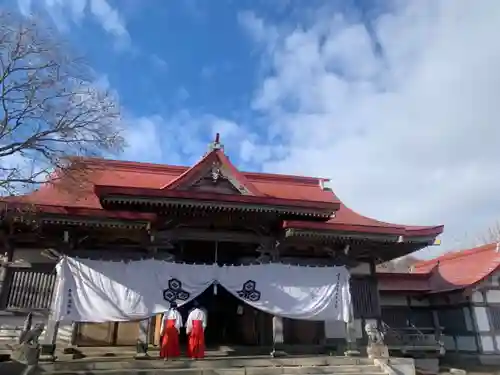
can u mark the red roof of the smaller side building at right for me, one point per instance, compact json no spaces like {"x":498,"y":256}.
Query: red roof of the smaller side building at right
{"x":459,"y":270}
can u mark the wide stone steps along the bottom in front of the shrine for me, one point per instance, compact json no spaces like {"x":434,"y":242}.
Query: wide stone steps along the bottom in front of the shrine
{"x":255,"y":365}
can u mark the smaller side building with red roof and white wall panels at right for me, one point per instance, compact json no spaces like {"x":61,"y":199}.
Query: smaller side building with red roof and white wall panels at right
{"x":455,"y":296}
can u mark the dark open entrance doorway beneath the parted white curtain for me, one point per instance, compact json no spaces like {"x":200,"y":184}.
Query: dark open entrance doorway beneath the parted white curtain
{"x":229,"y":320}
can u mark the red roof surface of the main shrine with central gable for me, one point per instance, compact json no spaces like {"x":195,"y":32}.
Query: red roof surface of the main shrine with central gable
{"x":130,"y":176}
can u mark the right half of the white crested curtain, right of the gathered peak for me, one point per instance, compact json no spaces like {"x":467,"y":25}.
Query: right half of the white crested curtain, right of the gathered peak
{"x":309,"y":293}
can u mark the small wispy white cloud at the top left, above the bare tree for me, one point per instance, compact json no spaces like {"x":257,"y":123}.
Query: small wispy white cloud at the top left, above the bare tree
{"x":64,"y":12}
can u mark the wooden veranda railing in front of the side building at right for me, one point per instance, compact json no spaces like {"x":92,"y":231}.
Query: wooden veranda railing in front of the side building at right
{"x":411,"y":340}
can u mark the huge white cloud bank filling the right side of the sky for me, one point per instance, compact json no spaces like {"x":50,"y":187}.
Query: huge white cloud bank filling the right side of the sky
{"x":407,"y":135}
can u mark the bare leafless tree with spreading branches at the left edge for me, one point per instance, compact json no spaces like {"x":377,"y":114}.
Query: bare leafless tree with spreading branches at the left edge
{"x":50,"y":108}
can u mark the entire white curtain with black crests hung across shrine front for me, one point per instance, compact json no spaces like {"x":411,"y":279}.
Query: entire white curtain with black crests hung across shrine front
{"x":101,"y":291}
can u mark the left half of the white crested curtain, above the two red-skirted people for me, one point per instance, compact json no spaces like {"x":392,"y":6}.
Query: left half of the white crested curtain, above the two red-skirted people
{"x":100,"y":291}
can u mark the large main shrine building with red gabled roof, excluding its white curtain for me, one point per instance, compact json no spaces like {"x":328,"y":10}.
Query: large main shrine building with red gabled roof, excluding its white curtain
{"x":209,"y":213}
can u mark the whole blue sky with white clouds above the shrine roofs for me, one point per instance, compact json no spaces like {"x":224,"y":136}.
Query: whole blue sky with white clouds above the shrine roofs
{"x":395,"y":101}
